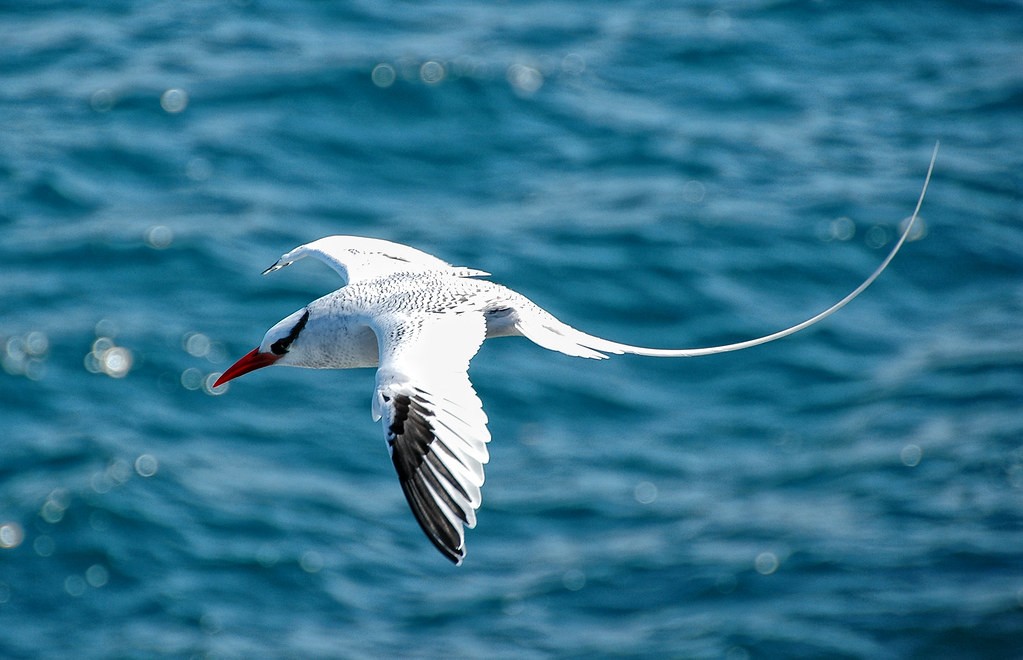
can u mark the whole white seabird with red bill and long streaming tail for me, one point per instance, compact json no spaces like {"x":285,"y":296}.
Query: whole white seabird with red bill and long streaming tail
{"x":420,"y":322}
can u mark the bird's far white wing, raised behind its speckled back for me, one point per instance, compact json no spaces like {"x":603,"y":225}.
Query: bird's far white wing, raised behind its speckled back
{"x":359,"y":258}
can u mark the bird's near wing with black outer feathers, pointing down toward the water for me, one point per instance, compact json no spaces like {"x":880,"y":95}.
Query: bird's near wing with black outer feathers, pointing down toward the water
{"x":433,"y":421}
